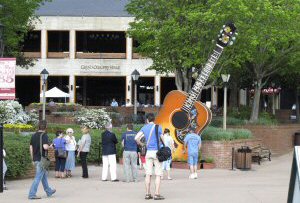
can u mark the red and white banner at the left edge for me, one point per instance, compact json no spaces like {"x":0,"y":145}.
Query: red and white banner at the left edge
{"x":7,"y":78}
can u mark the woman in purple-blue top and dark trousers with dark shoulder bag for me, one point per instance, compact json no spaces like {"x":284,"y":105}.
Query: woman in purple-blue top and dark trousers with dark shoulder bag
{"x":60,"y":154}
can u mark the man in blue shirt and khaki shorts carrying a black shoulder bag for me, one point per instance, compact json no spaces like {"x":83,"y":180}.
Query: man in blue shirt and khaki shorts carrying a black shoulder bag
{"x":149,"y":132}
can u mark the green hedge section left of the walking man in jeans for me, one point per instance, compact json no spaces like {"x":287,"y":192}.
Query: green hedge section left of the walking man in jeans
{"x":17,"y":154}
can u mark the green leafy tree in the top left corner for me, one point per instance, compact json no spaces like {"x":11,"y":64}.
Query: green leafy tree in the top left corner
{"x":17,"y":17}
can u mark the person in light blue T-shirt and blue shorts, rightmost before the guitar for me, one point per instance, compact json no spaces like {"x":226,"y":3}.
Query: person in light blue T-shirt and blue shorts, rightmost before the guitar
{"x":192,"y":141}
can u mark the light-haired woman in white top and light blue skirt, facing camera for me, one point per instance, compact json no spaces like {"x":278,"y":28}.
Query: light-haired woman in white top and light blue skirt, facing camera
{"x":70,"y":147}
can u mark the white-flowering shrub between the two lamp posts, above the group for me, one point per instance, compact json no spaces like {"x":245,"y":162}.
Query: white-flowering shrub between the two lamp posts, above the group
{"x":93,"y":118}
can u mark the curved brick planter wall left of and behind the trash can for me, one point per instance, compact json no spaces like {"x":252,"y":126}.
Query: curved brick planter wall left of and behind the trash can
{"x":221,"y":151}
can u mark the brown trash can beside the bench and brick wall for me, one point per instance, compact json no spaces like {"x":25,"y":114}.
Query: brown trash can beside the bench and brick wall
{"x":243,"y":158}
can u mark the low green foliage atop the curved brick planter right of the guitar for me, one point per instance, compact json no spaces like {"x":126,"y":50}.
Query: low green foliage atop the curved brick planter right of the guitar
{"x":215,"y":134}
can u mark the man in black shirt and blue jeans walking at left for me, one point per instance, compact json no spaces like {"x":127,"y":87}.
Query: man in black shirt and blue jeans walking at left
{"x":40,"y":174}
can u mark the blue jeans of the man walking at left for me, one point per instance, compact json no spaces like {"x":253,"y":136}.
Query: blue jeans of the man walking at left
{"x":40,"y":175}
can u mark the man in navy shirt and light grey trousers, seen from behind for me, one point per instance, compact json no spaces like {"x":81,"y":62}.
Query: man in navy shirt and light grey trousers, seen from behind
{"x":130,"y":154}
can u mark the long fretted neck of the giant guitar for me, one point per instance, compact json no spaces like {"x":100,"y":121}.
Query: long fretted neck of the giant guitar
{"x":201,"y":80}
